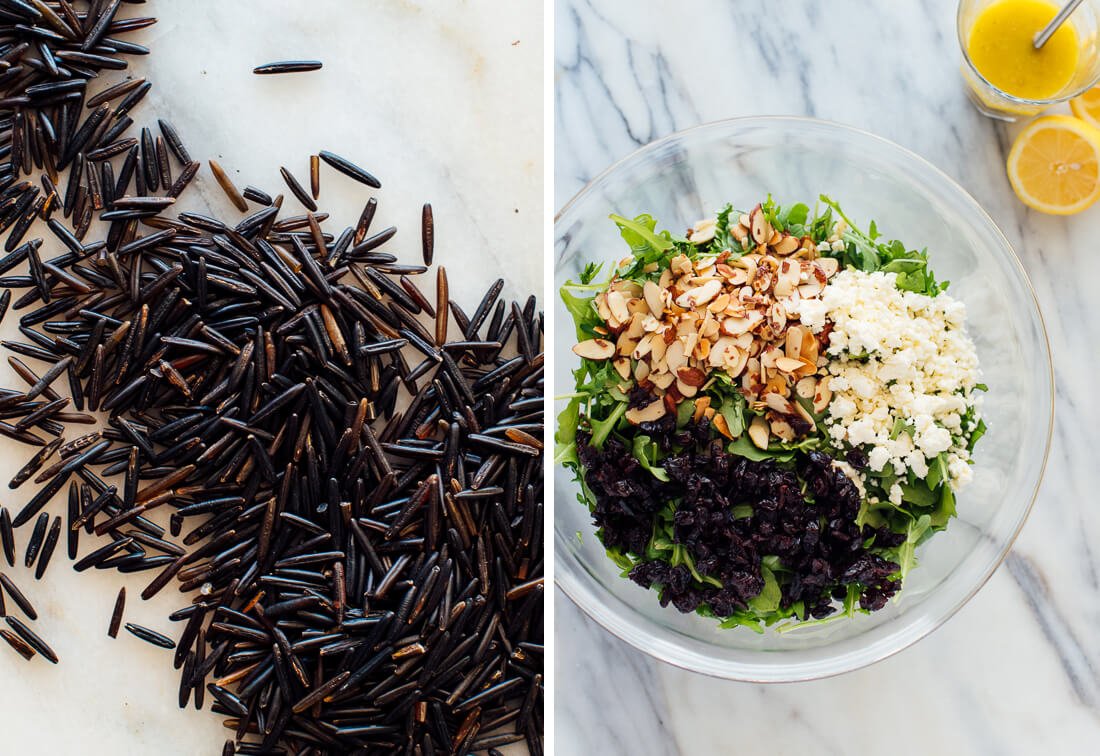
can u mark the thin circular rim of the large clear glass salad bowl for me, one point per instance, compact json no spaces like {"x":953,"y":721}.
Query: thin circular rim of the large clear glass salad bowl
{"x":596,"y":609}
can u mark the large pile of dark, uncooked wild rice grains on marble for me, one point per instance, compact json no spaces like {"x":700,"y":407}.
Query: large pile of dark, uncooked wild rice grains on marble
{"x":367,"y":563}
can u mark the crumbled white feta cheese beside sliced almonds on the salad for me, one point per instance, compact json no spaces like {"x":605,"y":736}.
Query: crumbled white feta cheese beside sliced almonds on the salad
{"x":903,"y":372}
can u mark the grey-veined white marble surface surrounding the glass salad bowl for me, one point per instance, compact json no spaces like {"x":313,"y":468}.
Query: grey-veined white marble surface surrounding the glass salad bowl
{"x":1016,"y":672}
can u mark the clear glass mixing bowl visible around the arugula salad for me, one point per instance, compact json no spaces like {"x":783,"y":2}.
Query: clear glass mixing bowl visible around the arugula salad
{"x":690,"y":176}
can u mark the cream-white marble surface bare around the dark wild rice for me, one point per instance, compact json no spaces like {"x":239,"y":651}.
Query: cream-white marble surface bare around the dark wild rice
{"x":444,"y":104}
